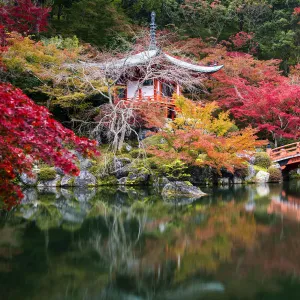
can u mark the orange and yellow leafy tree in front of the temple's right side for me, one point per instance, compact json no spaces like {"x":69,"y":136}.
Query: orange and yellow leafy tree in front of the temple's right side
{"x":198,"y":137}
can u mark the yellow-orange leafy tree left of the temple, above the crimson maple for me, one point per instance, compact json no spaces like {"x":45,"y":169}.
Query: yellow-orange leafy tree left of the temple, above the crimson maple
{"x":47,"y":61}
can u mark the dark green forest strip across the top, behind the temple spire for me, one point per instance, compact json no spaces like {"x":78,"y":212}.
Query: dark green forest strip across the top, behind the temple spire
{"x":271,"y":27}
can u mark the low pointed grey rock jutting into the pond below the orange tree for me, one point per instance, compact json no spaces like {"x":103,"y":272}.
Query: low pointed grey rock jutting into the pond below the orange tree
{"x":181,"y":189}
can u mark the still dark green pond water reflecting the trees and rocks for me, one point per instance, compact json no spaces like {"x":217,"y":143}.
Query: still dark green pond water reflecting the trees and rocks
{"x":240,"y":242}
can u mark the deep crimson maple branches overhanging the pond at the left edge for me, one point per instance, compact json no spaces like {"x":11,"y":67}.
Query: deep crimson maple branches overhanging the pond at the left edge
{"x":28,"y":134}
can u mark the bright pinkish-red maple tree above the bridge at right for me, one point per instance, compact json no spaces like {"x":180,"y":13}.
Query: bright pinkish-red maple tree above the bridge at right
{"x":271,"y":106}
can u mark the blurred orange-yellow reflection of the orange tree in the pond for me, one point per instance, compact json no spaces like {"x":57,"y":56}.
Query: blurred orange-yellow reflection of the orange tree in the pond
{"x":202,"y":247}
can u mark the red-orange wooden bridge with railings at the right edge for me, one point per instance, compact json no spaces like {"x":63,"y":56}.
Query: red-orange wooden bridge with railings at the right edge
{"x":287,"y":156}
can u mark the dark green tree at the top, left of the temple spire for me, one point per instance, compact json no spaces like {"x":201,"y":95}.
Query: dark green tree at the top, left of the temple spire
{"x":92,"y":21}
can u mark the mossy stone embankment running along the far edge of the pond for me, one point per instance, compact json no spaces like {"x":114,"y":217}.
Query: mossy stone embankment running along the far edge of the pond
{"x":123,"y":171}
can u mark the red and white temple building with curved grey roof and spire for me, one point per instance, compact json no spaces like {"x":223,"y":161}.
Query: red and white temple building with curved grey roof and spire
{"x":138,"y":87}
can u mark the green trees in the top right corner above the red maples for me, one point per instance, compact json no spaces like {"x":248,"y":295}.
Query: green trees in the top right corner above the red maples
{"x":273,"y":23}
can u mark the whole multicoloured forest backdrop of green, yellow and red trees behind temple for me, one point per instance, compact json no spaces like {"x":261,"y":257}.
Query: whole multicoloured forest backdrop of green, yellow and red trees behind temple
{"x":257,"y":41}
